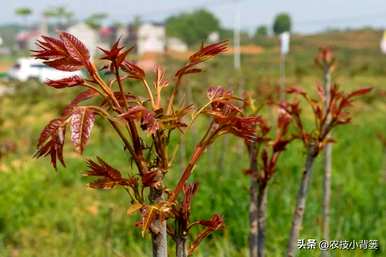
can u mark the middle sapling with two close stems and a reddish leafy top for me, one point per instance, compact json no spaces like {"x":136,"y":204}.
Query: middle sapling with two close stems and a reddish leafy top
{"x":264,"y":154}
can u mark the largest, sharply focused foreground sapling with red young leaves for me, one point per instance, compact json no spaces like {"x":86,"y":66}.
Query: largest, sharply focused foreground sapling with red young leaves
{"x":144,"y":124}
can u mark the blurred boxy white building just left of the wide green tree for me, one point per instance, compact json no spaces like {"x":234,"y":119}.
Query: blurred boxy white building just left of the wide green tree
{"x":151,"y":38}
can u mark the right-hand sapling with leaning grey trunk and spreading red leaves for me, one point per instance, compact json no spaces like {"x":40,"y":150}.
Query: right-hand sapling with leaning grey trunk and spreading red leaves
{"x":325,"y":120}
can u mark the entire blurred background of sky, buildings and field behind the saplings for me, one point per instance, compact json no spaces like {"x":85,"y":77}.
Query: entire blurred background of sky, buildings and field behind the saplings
{"x":46,"y":213}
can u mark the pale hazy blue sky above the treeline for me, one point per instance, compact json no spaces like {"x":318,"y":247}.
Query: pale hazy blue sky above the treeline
{"x":308,"y":15}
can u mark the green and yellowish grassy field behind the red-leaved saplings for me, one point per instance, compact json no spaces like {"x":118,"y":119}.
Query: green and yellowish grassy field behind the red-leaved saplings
{"x":44,"y":213}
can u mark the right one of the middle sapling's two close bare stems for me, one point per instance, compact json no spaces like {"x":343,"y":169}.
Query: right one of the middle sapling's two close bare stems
{"x":261,"y":212}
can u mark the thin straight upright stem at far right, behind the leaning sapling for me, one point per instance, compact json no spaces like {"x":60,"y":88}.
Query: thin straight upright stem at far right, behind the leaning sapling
{"x":327,"y":165}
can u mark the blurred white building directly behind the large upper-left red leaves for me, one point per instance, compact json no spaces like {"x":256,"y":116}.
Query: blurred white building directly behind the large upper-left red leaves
{"x":87,"y":35}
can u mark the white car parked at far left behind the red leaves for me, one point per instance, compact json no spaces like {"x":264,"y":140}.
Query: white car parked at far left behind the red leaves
{"x":29,"y":68}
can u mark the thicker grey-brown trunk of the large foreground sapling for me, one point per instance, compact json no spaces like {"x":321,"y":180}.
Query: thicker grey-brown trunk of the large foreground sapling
{"x":158,"y":229}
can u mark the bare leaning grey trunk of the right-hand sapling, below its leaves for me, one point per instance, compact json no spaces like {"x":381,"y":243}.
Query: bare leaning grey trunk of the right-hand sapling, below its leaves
{"x":301,"y":202}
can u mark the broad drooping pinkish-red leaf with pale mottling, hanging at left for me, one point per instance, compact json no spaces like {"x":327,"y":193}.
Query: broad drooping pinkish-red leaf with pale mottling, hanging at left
{"x":82,"y":121}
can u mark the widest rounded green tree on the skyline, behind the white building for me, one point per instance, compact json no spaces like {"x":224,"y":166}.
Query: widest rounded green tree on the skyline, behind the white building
{"x":192,"y":27}
